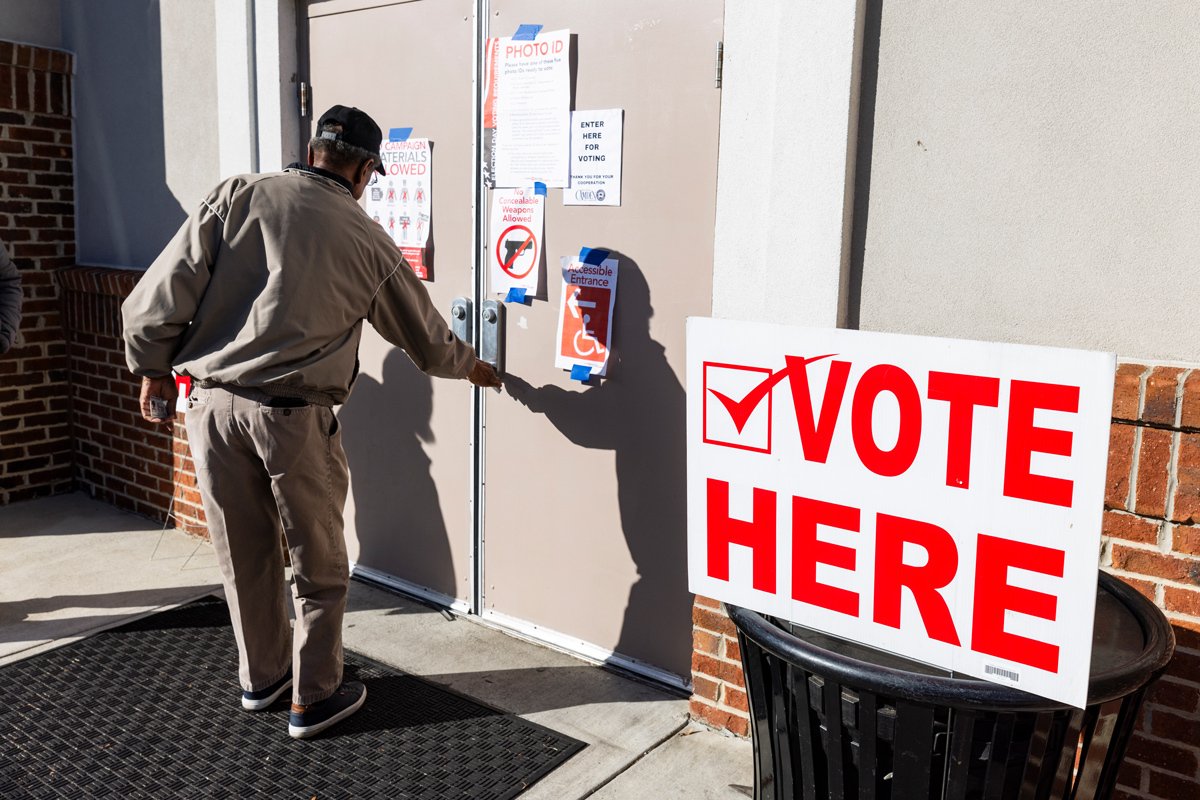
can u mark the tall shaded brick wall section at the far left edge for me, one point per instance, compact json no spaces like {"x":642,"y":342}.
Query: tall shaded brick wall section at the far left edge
{"x":38,"y":228}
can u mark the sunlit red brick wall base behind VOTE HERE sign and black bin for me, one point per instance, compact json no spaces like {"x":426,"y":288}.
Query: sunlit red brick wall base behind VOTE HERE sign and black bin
{"x":1151,"y":540}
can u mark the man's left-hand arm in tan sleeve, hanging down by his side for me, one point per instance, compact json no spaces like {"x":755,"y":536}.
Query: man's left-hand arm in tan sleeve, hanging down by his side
{"x":158,"y":312}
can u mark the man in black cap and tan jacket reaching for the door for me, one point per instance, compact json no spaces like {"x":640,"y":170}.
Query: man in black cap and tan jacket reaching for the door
{"x":261,"y":299}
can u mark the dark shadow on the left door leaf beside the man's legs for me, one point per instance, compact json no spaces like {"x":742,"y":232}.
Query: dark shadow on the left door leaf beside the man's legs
{"x":398,"y":513}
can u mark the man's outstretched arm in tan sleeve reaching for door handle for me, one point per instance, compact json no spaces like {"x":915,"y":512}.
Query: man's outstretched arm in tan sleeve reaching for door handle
{"x":405,"y":316}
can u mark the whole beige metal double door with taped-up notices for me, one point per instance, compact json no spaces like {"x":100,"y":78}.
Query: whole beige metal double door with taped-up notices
{"x":554,"y":509}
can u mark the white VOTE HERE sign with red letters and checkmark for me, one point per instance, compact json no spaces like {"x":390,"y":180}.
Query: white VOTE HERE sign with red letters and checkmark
{"x":935,"y":498}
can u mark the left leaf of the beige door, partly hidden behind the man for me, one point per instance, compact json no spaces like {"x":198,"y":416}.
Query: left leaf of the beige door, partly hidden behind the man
{"x":409,"y":437}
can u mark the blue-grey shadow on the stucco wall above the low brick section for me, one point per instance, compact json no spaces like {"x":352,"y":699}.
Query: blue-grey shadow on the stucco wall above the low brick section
{"x":125,"y":210}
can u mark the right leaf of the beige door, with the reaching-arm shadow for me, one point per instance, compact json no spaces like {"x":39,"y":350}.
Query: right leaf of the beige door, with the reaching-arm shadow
{"x":585,"y":509}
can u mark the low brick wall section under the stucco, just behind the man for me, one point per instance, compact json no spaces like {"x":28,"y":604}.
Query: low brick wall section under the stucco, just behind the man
{"x":121,"y":458}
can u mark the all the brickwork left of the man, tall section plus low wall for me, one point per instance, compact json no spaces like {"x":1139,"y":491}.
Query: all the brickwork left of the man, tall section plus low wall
{"x":68,"y":404}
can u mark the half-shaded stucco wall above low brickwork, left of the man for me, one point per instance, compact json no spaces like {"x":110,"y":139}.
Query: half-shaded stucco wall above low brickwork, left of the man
{"x":146,"y":129}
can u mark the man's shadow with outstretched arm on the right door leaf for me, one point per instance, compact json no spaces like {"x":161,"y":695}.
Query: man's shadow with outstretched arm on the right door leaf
{"x":639,"y":414}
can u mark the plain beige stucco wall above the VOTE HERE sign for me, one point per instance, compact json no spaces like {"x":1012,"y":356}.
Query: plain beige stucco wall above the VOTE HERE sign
{"x":1034,"y":176}
